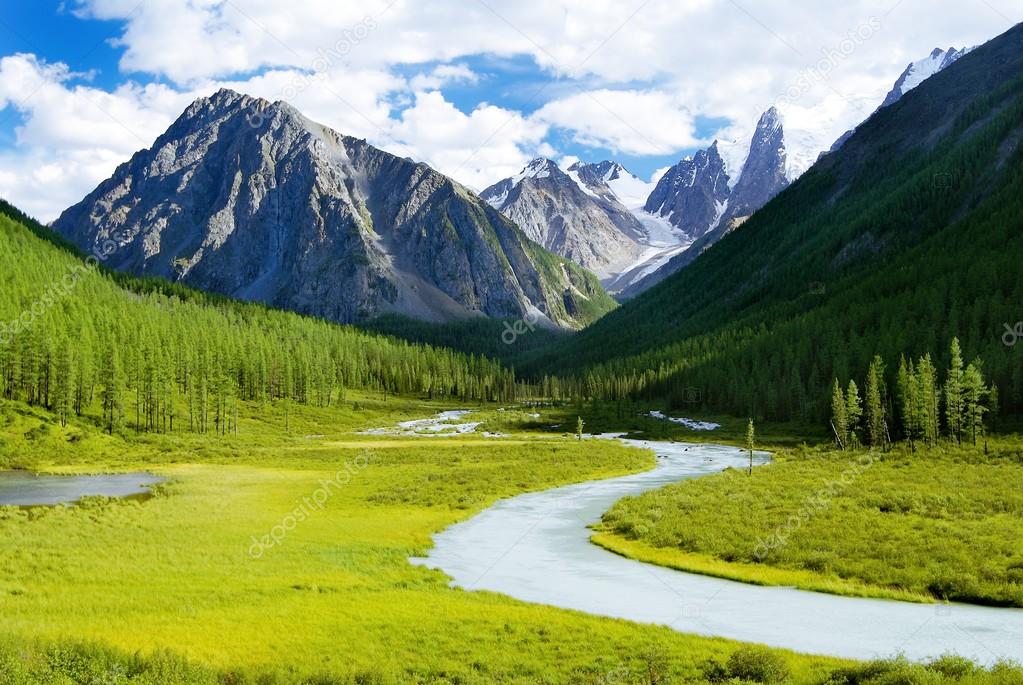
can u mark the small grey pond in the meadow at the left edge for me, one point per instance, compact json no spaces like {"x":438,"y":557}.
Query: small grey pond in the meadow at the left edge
{"x":25,"y":489}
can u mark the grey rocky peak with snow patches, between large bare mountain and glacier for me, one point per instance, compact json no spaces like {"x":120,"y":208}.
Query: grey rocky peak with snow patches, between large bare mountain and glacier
{"x":591,"y":229}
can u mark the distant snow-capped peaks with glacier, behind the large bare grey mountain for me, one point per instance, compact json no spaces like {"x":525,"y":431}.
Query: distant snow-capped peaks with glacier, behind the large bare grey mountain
{"x":693,"y":206}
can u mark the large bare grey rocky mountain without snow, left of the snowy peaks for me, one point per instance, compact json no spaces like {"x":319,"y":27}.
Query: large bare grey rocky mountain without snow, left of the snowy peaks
{"x":252,"y":200}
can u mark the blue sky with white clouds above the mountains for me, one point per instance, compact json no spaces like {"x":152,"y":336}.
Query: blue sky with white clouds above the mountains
{"x":476,"y":88}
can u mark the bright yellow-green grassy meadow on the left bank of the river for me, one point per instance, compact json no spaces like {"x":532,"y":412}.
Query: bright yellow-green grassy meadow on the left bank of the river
{"x":168,"y":586}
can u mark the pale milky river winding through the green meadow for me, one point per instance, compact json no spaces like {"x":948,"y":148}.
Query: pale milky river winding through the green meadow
{"x":536,"y":547}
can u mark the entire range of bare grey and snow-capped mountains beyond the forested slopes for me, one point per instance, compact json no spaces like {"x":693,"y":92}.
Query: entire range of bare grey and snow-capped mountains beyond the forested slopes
{"x":252,"y":200}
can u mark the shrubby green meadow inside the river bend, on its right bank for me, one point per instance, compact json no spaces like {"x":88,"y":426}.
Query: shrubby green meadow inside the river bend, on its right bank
{"x":936,"y":525}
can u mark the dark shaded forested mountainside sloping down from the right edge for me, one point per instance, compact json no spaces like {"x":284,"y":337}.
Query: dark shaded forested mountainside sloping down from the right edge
{"x":909,"y":237}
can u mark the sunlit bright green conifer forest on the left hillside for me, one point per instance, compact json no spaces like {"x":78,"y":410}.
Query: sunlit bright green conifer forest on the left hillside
{"x":153,"y":356}
